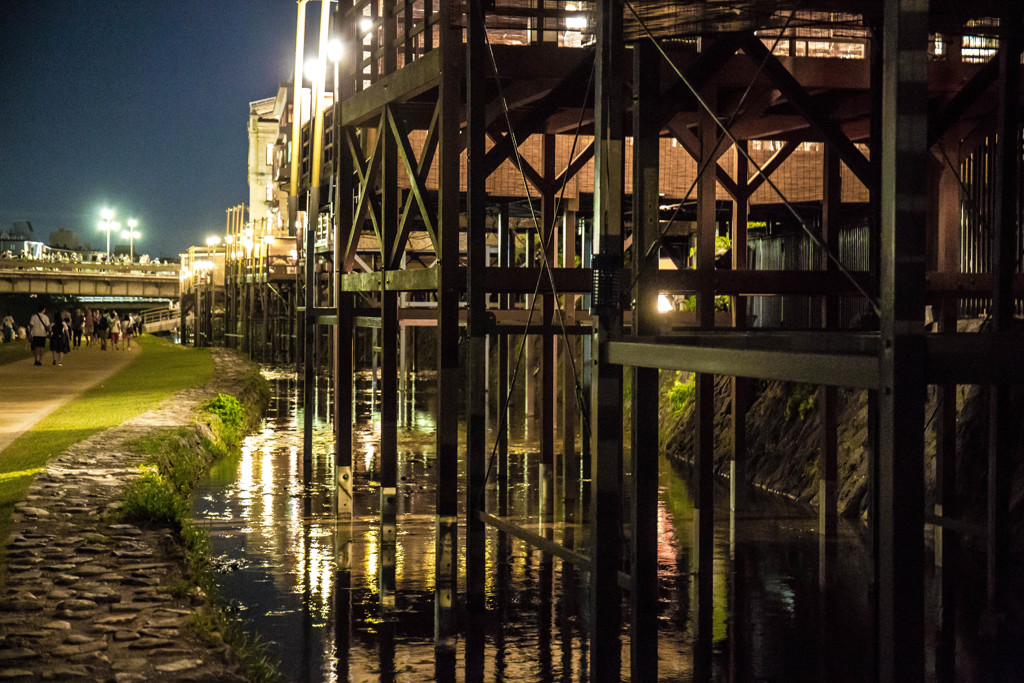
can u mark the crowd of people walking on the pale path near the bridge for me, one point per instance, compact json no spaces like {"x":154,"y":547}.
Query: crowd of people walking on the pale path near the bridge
{"x":67,"y":331}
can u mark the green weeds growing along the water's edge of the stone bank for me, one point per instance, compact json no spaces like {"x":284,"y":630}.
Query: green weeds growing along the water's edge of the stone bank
{"x":177,"y":460}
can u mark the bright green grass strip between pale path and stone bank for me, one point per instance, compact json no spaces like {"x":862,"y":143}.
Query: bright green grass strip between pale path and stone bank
{"x":162,"y":369}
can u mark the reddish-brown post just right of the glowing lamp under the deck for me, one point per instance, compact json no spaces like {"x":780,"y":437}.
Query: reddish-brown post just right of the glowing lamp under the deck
{"x":704,"y":444}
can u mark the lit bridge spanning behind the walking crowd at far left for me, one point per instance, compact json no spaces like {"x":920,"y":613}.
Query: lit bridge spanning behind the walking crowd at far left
{"x":90,"y":280}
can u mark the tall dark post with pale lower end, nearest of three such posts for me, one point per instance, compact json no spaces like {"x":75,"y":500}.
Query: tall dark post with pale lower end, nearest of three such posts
{"x":447,"y":572}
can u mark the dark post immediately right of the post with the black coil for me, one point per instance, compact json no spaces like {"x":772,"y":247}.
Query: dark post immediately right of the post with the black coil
{"x":644,"y":556}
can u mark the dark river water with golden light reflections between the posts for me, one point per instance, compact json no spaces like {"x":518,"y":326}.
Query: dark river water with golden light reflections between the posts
{"x":295,"y":578}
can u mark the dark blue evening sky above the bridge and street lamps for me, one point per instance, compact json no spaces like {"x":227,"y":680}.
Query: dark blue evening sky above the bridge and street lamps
{"x":141,"y":106}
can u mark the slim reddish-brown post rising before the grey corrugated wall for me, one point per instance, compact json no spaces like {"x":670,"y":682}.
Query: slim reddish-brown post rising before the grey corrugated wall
{"x":829,"y":466}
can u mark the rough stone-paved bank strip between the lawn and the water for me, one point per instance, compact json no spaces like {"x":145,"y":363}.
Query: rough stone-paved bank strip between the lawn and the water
{"x":87,"y":599}
